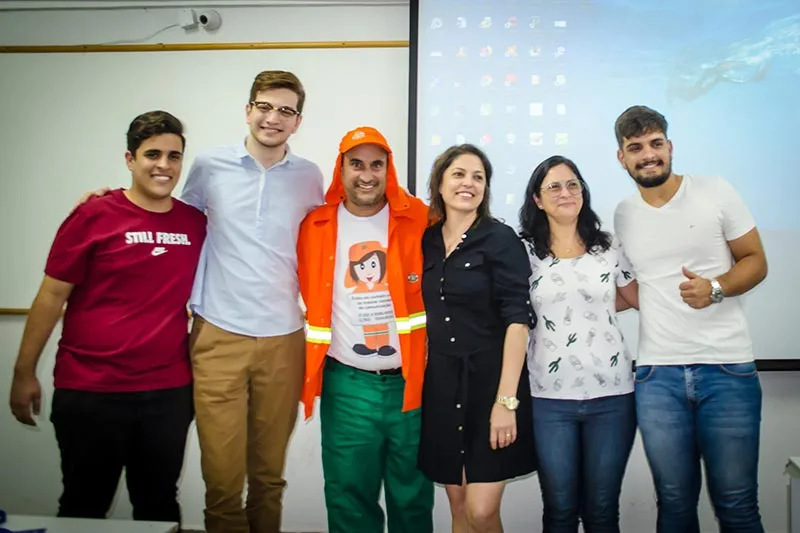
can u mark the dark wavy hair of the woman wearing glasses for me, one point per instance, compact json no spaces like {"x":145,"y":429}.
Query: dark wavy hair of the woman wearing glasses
{"x":533,"y":221}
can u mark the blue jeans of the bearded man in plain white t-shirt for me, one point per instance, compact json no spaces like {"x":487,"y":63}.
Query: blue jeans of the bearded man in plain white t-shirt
{"x":708,"y":411}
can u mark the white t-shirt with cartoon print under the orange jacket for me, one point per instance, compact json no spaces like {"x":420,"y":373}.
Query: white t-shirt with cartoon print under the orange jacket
{"x":363,"y":327}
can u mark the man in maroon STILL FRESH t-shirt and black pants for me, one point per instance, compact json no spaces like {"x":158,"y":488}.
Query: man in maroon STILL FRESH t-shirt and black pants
{"x":124,"y":265}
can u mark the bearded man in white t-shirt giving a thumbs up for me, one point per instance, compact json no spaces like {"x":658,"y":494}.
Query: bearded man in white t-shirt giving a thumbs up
{"x":695,"y":250}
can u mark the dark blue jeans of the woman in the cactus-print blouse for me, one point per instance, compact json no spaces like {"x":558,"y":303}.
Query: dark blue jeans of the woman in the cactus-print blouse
{"x":583,"y":448}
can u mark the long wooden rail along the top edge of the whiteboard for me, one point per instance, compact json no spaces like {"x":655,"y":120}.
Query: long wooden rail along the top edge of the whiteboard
{"x":194,"y":47}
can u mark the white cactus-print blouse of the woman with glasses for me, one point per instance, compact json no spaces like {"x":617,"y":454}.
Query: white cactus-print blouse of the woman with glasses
{"x":577,"y":351}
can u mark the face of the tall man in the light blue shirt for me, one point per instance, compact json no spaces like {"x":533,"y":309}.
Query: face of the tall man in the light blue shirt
{"x":273,"y":117}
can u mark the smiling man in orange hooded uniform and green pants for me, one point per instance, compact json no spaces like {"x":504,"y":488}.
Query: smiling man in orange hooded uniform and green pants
{"x":360,"y":267}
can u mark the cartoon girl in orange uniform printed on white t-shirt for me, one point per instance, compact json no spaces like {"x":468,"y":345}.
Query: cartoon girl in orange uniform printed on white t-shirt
{"x":371,"y":301}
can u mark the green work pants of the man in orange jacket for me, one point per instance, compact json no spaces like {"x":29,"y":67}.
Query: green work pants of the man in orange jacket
{"x":367,"y":440}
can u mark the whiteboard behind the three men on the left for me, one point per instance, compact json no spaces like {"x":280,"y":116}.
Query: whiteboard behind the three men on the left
{"x":64,"y":118}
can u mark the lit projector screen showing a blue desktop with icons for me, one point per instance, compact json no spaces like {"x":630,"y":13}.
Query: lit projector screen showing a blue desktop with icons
{"x":525,"y":80}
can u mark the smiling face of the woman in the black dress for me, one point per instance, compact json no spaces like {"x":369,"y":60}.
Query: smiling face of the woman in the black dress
{"x":463,"y":184}
